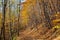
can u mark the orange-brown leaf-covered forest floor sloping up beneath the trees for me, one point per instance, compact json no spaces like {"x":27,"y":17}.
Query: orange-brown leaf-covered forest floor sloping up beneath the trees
{"x":40,"y":33}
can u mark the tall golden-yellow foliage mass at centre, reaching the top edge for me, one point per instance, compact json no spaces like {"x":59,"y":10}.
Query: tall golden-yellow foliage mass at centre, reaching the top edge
{"x":24,"y":12}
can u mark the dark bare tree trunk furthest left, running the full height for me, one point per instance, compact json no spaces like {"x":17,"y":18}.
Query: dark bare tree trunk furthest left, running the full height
{"x":4,"y":12}
